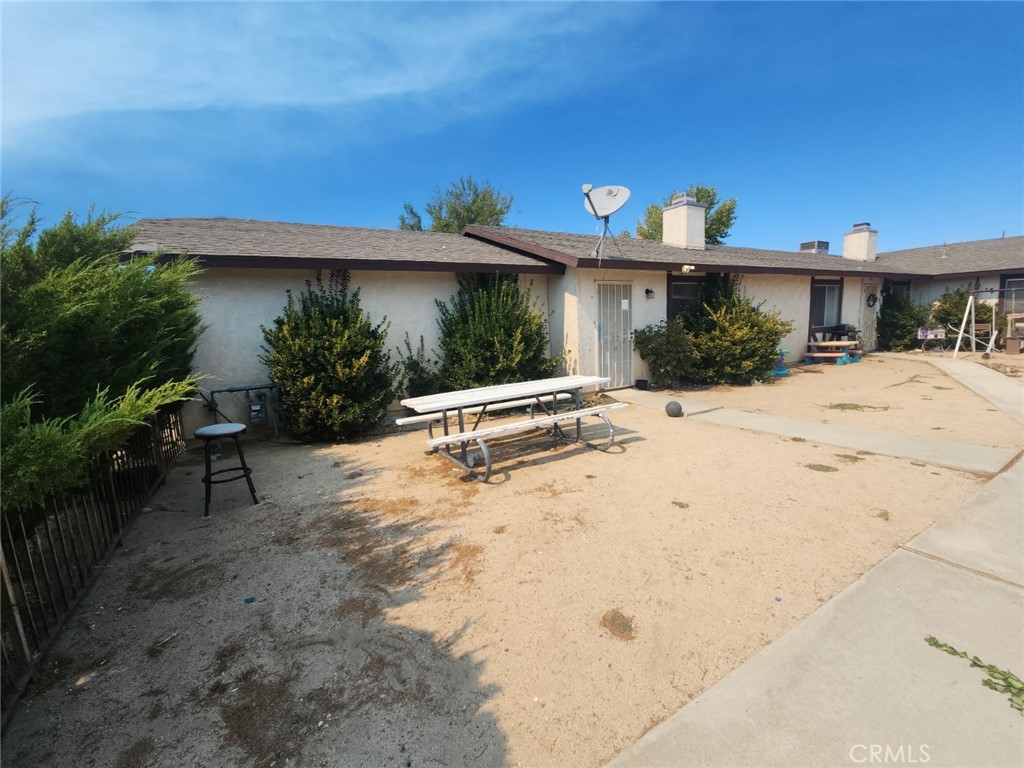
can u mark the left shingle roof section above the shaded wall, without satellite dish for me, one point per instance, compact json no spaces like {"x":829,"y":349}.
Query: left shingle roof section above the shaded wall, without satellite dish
{"x":227,"y":242}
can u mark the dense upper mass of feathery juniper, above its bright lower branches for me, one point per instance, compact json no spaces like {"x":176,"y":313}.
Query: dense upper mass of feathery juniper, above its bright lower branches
{"x":77,"y":318}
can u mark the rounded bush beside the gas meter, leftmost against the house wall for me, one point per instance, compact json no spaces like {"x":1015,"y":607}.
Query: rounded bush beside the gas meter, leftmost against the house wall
{"x":334,"y":375}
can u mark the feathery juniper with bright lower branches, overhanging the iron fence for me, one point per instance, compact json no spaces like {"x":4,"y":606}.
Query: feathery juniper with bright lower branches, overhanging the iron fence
{"x":82,"y":335}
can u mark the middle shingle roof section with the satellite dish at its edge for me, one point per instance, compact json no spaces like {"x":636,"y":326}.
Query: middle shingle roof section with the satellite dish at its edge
{"x":576,"y":250}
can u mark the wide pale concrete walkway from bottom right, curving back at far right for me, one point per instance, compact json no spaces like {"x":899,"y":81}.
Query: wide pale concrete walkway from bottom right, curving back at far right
{"x":855,"y":684}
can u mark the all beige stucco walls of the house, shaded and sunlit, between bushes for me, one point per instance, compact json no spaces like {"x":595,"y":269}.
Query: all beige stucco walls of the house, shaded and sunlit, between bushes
{"x":237,"y":303}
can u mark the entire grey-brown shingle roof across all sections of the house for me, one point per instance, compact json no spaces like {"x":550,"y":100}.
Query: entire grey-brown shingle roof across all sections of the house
{"x":227,"y":242}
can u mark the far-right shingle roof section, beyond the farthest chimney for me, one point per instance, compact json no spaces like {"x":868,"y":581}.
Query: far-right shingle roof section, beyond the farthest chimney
{"x":1003,"y":254}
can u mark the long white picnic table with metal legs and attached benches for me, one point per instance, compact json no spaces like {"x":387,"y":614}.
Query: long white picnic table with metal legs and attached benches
{"x":468,"y":408}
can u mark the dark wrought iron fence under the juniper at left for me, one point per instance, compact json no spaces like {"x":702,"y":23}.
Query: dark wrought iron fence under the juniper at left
{"x":51,"y":559}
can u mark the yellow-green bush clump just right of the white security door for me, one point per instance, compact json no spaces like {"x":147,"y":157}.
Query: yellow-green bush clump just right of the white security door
{"x":723,"y":339}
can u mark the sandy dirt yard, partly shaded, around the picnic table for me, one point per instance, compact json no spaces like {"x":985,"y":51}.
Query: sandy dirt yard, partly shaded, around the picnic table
{"x":404,"y":616}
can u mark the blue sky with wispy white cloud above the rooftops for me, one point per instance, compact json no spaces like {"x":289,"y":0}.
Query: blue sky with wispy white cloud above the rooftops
{"x":815,"y":116}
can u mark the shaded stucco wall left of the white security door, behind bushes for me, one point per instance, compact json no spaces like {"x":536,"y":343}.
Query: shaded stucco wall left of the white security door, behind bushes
{"x":237,"y":303}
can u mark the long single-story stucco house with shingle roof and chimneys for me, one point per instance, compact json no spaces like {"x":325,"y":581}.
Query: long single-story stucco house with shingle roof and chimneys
{"x":593,"y":300}
